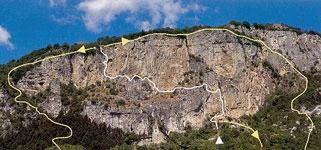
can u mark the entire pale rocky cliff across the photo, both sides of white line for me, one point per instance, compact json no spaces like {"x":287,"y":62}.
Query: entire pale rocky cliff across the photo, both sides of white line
{"x":244,"y":72}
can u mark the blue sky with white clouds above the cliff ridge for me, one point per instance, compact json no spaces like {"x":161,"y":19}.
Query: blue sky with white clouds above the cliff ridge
{"x":26,"y":25}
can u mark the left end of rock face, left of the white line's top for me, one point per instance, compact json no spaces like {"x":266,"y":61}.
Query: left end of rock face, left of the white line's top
{"x":78,"y":69}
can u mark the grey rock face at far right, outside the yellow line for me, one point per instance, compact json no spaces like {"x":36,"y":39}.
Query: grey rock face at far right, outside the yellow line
{"x":302,"y":49}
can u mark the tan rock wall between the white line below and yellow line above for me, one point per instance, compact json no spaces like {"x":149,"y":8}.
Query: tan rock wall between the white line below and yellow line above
{"x":216,"y":58}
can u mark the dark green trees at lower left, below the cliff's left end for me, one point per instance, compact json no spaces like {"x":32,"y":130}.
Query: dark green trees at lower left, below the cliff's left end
{"x":86,"y":133}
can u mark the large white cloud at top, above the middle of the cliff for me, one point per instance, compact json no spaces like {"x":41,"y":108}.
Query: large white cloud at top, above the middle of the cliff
{"x":165,"y":13}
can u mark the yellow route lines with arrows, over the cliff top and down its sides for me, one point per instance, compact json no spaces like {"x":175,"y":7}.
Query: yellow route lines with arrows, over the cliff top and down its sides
{"x":167,"y":34}
